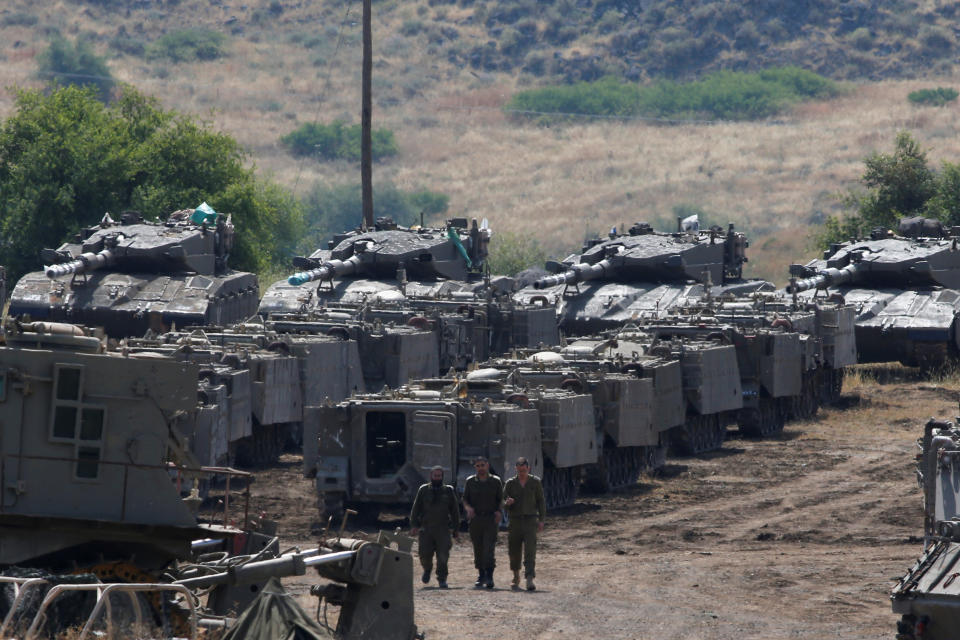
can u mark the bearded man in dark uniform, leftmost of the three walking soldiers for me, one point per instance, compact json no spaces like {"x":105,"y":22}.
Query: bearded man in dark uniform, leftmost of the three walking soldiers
{"x":434,"y":515}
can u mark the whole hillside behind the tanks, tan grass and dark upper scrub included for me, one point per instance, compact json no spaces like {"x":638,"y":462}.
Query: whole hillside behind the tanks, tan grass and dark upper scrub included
{"x":289,"y":63}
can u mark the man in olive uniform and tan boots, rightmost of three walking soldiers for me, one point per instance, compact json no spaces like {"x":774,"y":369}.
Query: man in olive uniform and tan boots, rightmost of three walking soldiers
{"x":526,"y":508}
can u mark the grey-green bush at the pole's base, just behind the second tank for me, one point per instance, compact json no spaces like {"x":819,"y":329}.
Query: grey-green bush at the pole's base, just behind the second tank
{"x":333,"y":209}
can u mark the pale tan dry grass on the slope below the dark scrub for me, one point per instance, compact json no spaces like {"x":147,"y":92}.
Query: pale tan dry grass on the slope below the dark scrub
{"x":774,"y":179}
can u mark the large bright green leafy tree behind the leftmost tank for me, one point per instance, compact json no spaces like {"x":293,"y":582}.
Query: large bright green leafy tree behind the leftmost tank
{"x":66,"y":159}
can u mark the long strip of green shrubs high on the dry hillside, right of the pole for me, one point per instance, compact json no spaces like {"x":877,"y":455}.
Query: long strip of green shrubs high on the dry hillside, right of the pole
{"x":725,"y":95}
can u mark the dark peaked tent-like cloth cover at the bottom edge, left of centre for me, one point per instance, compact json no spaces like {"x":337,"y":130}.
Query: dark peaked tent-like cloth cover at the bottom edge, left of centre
{"x":275,"y":615}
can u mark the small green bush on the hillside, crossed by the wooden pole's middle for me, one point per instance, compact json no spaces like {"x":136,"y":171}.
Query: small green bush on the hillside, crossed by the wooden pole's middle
{"x":337,"y":141}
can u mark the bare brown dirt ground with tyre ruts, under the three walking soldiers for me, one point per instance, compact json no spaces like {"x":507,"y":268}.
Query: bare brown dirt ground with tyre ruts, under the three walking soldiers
{"x":796,"y":537}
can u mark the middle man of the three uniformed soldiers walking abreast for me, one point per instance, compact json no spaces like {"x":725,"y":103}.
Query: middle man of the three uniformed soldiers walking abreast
{"x":482,"y":496}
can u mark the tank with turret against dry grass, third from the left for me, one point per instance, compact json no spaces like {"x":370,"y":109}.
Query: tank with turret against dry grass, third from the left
{"x":640,"y":274}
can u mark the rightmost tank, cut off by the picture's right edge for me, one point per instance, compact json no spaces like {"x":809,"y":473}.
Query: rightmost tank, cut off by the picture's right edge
{"x":906,"y":291}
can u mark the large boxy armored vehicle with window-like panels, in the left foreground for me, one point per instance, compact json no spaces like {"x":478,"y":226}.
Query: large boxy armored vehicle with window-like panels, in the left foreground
{"x":85,"y":450}
